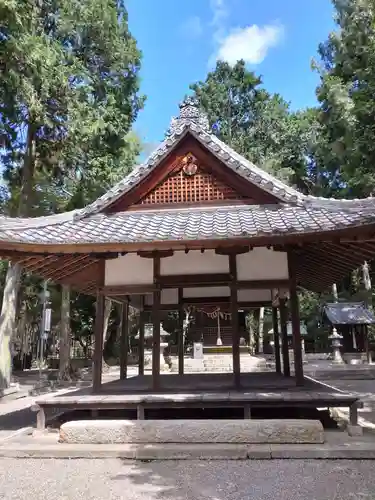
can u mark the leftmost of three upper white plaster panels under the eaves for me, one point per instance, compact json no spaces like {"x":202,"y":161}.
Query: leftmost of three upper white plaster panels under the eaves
{"x":129,"y":269}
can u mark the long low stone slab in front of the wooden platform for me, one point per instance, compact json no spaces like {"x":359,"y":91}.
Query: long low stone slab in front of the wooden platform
{"x":192,"y":431}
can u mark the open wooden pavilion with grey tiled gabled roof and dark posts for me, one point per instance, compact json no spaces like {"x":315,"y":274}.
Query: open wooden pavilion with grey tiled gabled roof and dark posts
{"x":197,"y":225}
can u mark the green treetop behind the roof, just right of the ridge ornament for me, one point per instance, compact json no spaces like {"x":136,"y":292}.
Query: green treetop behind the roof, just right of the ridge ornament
{"x":258,"y":125}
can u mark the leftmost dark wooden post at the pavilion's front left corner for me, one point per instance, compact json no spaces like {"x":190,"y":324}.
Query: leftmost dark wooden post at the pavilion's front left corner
{"x":99,"y":330}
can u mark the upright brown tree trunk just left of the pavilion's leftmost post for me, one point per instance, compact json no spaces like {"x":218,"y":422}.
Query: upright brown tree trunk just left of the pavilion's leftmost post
{"x":64,"y":344}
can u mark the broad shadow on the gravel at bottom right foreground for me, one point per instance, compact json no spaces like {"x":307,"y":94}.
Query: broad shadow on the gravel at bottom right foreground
{"x":258,"y":480}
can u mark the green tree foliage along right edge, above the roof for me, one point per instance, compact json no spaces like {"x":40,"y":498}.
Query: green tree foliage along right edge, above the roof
{"x":346,"y":94}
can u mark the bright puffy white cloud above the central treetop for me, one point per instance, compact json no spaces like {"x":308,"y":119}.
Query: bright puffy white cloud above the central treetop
{"x":251,"y":43}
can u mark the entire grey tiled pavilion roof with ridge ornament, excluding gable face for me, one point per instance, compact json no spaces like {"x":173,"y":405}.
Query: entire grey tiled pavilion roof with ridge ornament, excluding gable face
{"x":295,"y":214}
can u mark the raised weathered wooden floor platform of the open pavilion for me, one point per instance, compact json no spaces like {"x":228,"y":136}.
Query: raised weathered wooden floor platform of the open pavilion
{"x":258,"y":390}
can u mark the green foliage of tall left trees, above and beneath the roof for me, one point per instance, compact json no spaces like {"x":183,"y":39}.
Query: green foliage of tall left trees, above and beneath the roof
{"x":69,"y":94}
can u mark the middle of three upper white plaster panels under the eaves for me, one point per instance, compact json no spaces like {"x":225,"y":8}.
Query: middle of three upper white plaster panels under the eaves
{"x":194,"y":262}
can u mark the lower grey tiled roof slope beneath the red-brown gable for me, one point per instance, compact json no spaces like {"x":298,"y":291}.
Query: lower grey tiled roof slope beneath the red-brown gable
{"x":187,"y":224}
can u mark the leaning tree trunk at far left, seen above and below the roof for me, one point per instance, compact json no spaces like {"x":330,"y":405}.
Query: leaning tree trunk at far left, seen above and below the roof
{"x":8,"y":315}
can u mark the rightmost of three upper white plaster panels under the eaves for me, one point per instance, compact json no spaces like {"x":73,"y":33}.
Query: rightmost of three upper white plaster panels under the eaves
{"x":262,"y":264}
